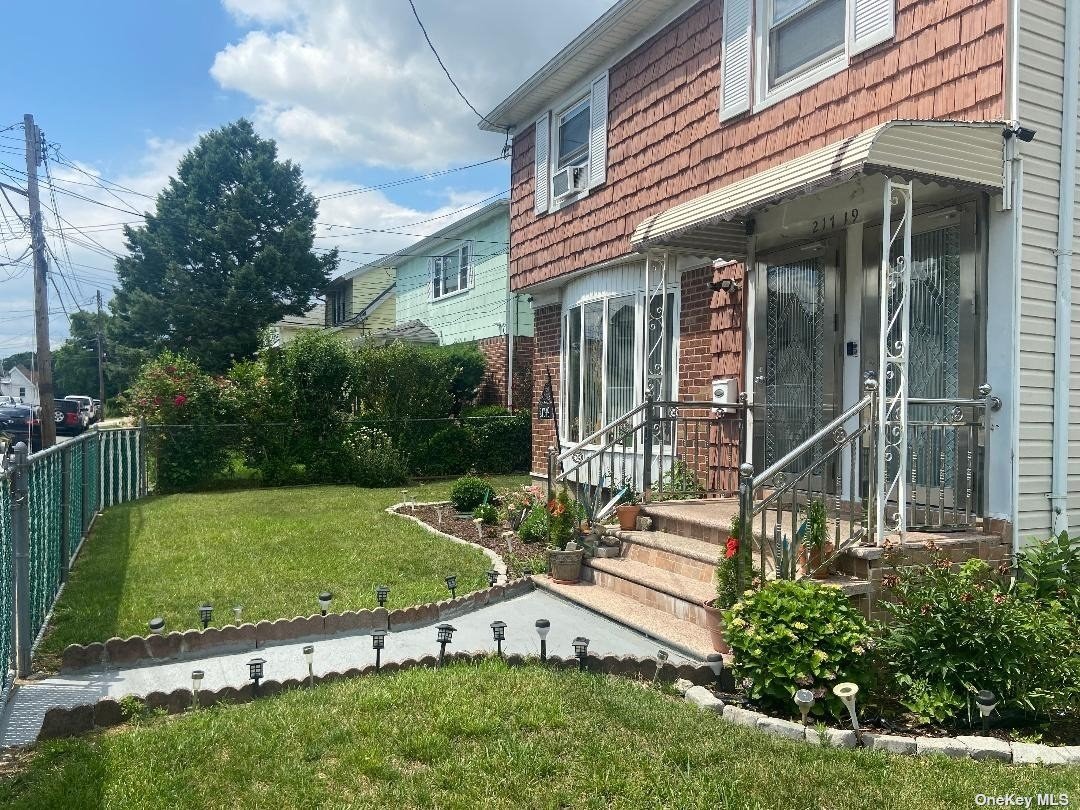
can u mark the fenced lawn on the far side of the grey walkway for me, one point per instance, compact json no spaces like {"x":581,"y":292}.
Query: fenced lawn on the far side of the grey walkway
{"x":269,"y":550}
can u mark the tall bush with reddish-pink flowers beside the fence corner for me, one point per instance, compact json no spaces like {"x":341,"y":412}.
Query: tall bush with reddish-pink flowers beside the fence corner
{"x":183,"y":409}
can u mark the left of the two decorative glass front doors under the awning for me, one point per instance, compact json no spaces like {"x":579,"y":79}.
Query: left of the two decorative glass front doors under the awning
{"x":795,"y":375}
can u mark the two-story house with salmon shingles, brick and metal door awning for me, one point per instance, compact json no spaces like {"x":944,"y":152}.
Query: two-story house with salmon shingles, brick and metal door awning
{"x":709,"y":199}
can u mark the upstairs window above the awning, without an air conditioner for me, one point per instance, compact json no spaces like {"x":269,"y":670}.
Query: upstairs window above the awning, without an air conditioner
{"x":803,"y":34}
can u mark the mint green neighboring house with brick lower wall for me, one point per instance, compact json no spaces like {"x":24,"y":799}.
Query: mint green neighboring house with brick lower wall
{"x":454,"y":288}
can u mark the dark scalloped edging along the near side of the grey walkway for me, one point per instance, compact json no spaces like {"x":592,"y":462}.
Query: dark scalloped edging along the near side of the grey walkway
{"x":61,"y":722}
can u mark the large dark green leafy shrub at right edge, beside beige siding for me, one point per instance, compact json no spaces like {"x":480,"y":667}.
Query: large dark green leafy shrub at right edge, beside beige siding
{"x":955,"y":630}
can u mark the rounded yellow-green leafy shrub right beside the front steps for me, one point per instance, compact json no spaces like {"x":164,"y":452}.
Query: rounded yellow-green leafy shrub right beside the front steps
{"x":798,"y":634}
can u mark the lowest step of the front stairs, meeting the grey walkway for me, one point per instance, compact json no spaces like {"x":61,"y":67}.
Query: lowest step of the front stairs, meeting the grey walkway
{"x":653,"y":623}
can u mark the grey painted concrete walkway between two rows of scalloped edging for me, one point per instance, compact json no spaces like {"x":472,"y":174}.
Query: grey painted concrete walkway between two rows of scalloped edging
{"x":23,"y":715}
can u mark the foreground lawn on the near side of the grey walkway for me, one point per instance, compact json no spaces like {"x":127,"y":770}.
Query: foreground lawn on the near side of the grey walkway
{"x":484,"y":736}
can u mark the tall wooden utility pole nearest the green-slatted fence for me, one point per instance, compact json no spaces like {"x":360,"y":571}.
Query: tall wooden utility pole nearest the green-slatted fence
{"x":40,"y":286}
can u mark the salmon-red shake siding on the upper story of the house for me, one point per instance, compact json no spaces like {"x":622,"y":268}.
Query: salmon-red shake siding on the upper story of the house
{"x":667,"y":144}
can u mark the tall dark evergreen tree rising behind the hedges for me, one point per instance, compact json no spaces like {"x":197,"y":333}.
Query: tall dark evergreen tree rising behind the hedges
{"x":227,"y":252}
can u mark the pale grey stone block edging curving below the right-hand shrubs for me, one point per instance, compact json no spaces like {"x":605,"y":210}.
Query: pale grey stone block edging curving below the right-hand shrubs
{"x":961,"y":748}
